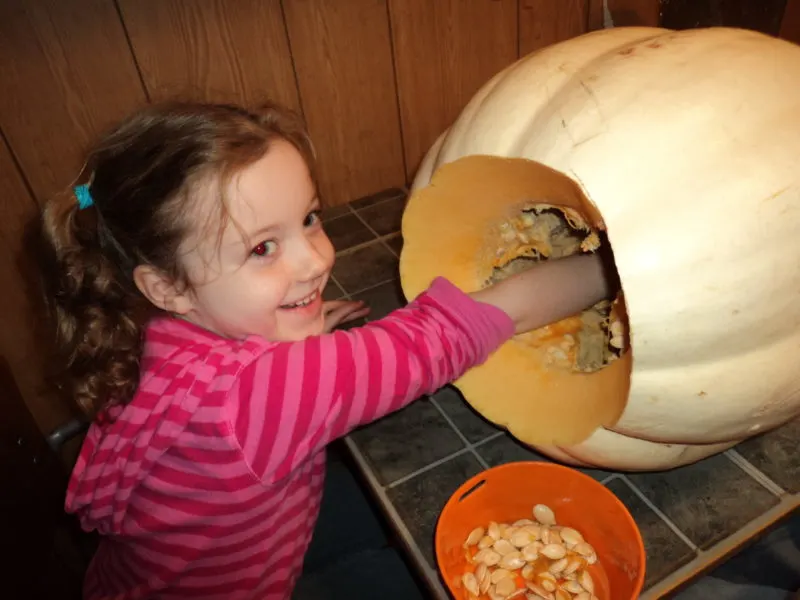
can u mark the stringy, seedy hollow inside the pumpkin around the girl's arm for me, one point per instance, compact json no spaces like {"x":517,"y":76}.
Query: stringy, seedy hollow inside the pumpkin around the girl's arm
{"x":587,"y":342}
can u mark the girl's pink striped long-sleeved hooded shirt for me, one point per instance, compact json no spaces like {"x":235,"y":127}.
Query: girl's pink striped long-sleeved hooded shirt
{"x":208,"y":483}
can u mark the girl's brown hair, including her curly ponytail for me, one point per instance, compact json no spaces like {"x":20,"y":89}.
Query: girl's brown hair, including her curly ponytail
{"x":145,"y":175}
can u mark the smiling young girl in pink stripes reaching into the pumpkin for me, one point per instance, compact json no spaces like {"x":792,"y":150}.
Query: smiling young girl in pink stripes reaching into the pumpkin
{"x":186,"y":283}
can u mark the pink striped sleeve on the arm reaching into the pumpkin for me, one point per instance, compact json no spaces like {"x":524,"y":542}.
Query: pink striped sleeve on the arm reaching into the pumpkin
{"x":294,"y":398}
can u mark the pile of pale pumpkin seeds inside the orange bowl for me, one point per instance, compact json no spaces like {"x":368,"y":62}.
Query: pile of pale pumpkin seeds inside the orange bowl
{"x":529,"y":560}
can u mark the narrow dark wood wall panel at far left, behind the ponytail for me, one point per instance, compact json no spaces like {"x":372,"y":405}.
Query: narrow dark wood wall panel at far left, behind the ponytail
{"x":21,"y":331}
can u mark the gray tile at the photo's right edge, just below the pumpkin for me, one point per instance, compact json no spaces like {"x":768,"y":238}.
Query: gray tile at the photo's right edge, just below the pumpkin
{"x":776,"y":455}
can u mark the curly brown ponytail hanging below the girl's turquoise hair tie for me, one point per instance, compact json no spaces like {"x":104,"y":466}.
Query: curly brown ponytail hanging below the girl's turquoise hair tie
{"x":93,"y":307}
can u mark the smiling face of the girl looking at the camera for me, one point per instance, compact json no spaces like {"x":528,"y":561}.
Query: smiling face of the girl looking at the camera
{"x":266,"y":274}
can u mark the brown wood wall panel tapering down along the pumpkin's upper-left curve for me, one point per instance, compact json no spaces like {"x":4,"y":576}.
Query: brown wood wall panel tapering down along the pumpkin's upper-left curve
{"x":444,"y":52}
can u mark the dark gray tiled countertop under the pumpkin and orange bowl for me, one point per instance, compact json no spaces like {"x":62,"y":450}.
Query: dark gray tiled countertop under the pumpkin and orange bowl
{"x":691,"y":518}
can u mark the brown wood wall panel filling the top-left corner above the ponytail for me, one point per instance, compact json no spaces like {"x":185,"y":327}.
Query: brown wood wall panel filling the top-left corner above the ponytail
{"x":67,"y":73}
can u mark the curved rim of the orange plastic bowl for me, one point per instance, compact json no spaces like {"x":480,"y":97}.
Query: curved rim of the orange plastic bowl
{"x":541,"y":465}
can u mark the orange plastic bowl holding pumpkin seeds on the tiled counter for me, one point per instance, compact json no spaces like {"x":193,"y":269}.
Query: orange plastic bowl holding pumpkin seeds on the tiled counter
{"x":509,"y":492}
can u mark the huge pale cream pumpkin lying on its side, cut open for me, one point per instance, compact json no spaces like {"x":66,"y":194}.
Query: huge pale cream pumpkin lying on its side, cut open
{"x":684,"y":149}
